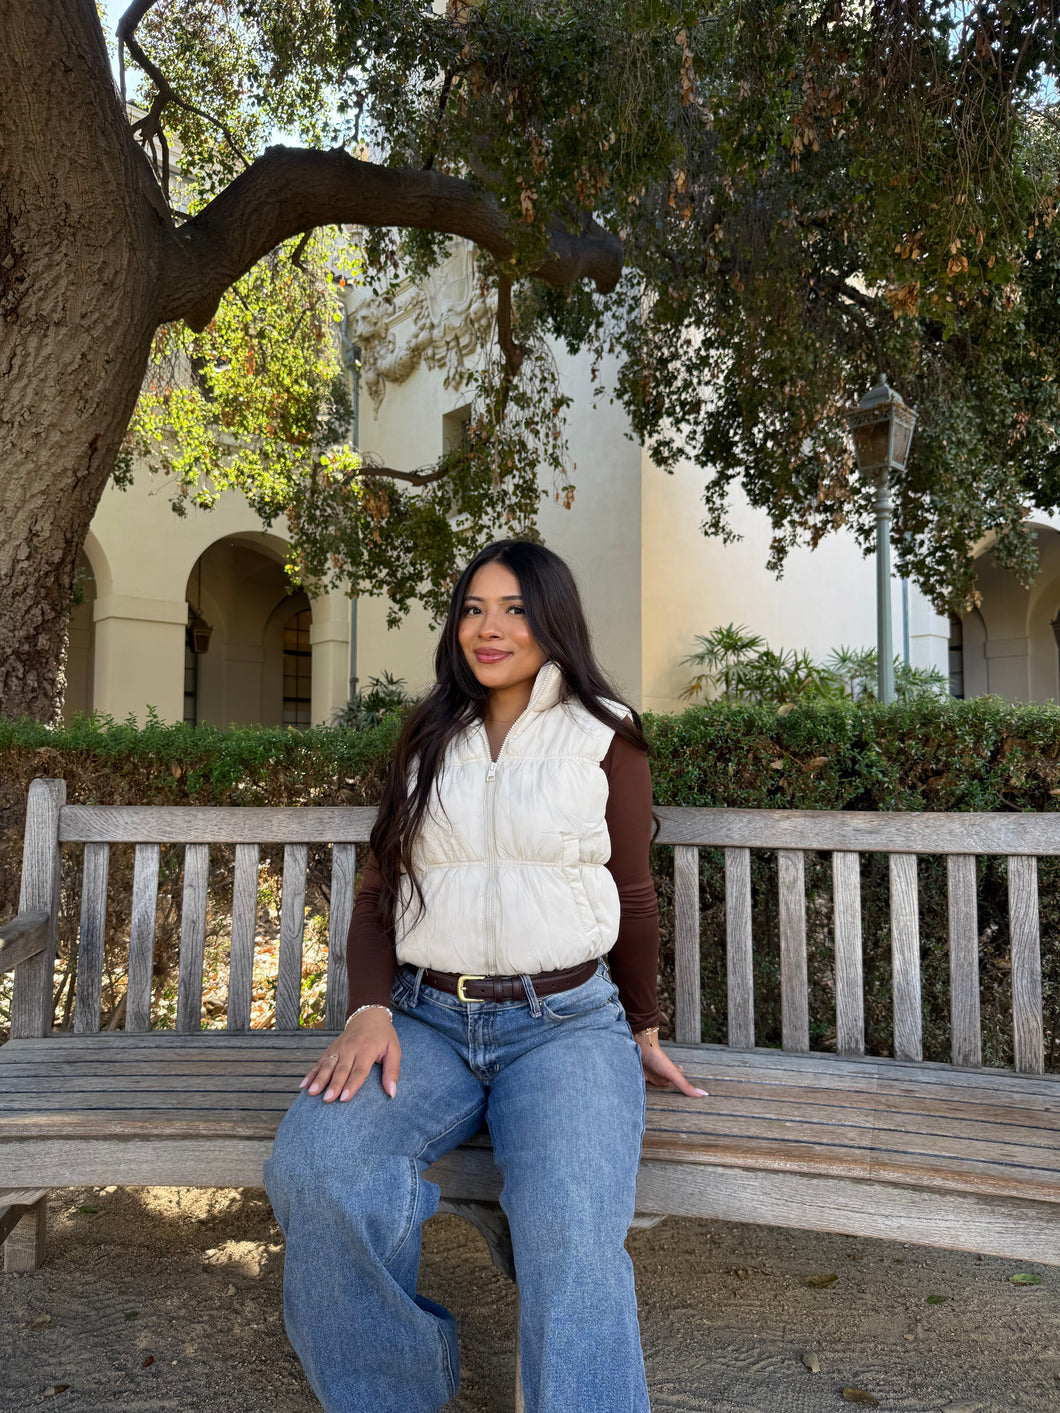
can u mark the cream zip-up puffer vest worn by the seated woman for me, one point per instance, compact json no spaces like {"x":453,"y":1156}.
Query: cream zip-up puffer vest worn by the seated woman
{"x":512,"y":854}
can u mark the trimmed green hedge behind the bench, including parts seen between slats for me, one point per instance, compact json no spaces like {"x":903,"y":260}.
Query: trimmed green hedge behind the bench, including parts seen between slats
{"x":984,"y":755}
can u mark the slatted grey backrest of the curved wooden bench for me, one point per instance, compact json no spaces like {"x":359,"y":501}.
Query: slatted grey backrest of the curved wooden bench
{"x":847,"y":836}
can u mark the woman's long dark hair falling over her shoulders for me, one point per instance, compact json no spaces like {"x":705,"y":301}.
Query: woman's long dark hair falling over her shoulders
{"x":558,"y":621}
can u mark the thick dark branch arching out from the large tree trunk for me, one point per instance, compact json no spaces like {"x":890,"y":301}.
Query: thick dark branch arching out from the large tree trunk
{"x":289,"y":191}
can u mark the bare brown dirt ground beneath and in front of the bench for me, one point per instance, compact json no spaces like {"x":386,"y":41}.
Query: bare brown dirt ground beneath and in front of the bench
{"x":158,"y":1299}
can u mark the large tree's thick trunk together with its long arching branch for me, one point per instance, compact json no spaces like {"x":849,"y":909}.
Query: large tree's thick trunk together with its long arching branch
{"x":91,"y":265}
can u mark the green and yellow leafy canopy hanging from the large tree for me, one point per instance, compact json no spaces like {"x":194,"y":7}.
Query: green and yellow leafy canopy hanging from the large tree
{"x":805,"y":197}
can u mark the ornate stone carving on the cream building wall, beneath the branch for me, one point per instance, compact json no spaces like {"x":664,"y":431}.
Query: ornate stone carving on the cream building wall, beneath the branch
{"x":452,"y":319}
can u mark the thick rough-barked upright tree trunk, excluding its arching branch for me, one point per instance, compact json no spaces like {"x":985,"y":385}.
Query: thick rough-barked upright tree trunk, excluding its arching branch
{"x":83,"y":230}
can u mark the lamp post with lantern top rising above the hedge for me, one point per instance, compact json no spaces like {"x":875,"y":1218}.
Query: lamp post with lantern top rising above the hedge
{"x":883,"y":427}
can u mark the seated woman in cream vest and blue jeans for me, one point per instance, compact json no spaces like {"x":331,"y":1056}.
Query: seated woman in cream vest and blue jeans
{"x":510,"y":856}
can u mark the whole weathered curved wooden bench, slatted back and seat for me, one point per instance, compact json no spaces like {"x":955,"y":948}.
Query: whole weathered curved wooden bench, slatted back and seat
{"x":948,"y":1155}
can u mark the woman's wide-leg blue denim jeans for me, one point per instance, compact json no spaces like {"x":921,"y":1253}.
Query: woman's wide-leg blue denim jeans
{"x":559,"y":1082}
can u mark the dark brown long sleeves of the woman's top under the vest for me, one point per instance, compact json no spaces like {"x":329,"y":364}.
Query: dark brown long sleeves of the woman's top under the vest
{"x":634,"y":960}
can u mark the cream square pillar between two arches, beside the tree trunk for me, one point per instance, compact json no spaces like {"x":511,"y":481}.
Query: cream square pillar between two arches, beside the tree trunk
{"x":139,"y":658}
